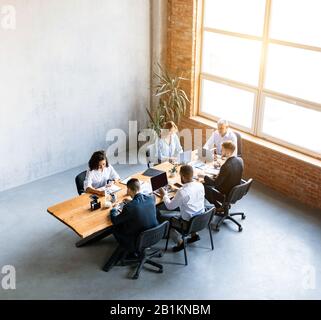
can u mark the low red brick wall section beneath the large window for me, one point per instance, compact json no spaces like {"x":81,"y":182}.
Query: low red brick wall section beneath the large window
{"x":290,"y":176}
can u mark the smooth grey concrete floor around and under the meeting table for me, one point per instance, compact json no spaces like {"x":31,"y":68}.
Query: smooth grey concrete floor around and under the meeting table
{"x":277,"y":256}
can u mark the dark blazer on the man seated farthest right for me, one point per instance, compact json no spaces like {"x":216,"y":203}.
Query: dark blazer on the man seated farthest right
{"x":230,"y":175}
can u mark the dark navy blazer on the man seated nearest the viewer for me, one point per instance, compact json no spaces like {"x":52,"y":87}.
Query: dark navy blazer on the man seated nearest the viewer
{"x":136,"y":217}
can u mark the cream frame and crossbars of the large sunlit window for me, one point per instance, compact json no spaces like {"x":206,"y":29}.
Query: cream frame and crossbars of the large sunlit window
{"x":260,"y":91}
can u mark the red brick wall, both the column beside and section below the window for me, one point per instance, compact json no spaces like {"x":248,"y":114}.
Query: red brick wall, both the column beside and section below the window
{"x":286,"y":174}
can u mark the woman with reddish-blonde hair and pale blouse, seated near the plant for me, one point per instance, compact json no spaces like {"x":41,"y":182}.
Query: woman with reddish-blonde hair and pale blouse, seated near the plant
{"x":169,"y":145}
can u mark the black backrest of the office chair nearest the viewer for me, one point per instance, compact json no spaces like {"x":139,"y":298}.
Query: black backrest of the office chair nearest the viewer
{"x":151,"y":236}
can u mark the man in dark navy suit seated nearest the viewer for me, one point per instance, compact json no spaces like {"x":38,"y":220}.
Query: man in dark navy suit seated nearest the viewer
{"x":137,"y":216}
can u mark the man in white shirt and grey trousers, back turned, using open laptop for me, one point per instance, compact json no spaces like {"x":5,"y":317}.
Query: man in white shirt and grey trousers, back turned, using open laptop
{"x":190,"y":202}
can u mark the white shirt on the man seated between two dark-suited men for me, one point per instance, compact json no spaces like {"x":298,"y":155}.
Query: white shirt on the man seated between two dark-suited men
{"x":189,"y":199}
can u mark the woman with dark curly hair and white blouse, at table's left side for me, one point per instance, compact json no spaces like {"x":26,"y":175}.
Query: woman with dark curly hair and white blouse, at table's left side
{"x":100,"y":173}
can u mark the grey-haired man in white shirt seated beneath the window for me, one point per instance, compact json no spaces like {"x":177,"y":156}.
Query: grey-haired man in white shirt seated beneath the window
{"x":222,"y":134}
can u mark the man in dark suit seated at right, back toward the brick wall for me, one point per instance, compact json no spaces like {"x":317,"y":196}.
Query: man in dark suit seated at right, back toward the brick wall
{"x":230,"y":175}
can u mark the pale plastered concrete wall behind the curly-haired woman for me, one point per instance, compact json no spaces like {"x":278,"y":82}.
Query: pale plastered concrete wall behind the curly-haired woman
{"x":70,"y":71}
